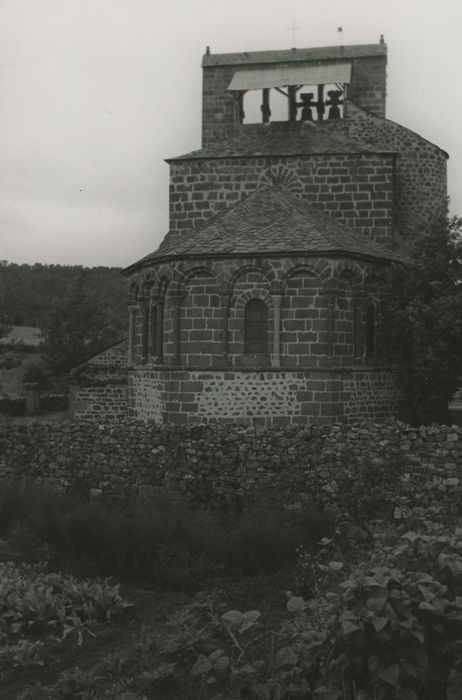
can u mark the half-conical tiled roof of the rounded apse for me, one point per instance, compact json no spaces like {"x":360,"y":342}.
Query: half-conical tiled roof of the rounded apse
{"x":270,"y":220}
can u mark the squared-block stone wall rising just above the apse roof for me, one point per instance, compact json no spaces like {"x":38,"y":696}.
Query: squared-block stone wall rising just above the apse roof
{"x":354,"y":188}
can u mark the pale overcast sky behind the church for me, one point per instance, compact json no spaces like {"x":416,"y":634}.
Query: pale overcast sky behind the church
{"x":95,"y":94}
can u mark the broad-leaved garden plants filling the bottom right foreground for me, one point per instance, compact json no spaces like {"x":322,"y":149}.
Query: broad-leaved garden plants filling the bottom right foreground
{"x":392,"y":630}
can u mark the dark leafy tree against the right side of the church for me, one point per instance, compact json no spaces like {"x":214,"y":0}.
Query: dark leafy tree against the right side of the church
{"x":427,"y":318}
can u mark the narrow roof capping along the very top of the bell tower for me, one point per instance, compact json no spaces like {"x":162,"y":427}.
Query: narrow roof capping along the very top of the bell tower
{"x":320,"y":53}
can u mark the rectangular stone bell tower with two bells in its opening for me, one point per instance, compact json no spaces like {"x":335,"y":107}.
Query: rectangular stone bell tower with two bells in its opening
{"x":291,"y":85}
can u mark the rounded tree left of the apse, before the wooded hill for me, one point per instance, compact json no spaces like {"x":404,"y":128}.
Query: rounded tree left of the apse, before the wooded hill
{"x":76,"y":328}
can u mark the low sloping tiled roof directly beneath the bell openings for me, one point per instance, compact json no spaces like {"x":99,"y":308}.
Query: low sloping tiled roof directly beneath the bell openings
{"x":282,"y":138}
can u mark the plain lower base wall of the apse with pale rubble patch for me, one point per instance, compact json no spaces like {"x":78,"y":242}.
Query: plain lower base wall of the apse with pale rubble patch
{"x":269,"y":398}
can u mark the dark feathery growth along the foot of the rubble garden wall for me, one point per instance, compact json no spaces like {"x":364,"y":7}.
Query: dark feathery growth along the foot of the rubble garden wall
{"x":161,"y":540}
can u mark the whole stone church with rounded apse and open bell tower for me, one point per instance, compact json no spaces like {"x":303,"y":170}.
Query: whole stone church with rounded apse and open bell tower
{"x":266,"y":302}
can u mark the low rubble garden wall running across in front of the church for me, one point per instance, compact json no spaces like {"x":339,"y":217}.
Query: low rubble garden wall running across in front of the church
{"x":231,"y":465}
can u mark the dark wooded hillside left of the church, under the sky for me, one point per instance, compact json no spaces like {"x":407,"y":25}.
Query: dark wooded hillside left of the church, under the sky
{"x":80,"y":310}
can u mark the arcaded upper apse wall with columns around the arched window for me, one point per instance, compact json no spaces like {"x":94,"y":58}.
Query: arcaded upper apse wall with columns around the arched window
{"x":322,"y":311}
